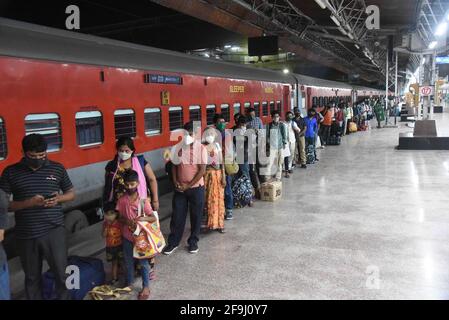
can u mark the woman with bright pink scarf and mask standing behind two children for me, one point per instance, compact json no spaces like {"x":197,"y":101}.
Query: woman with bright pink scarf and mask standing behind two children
{"x":124,"y":160}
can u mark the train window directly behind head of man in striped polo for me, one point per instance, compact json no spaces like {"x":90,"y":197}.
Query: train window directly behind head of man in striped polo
{"x":48,"y":125}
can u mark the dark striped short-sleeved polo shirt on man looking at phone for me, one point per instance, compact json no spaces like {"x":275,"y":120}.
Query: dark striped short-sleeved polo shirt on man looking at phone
{"x":24,"y":183}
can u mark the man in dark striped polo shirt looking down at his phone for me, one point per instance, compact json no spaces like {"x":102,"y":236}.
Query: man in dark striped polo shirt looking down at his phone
{"x":36,"y":184}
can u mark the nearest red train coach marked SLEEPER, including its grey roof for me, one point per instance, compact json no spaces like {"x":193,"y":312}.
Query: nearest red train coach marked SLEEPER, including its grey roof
{"x":83,"y":92}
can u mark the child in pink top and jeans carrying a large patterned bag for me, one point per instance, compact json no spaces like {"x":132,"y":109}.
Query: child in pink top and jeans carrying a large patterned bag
{"x":128,"y":206}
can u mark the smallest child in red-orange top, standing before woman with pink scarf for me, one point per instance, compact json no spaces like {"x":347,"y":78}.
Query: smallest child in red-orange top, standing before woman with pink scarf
{"x":113,"y":234}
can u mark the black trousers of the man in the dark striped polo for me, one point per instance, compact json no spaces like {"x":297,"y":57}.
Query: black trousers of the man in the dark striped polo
{"x":51,"y":247}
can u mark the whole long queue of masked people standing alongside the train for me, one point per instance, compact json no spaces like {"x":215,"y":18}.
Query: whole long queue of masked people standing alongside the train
{"x":211,"y":175}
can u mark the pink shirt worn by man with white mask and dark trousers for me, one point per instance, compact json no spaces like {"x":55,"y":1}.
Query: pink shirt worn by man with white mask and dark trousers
{"x":188,"y":167}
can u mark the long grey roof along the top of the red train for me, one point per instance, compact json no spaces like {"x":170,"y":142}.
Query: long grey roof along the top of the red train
{"x":25,"y":40}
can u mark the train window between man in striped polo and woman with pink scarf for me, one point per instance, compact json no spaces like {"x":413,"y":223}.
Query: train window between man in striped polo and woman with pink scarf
{"x":89,"y":128}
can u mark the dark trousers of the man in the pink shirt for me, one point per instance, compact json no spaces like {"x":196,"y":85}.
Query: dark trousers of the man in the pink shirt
{"x":192,"y":199}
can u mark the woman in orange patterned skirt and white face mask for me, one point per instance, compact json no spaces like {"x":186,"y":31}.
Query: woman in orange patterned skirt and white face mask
{"x":215,"y":182}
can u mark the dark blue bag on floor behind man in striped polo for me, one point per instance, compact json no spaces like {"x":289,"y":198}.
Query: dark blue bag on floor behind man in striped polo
{"x":91,"y":272}
